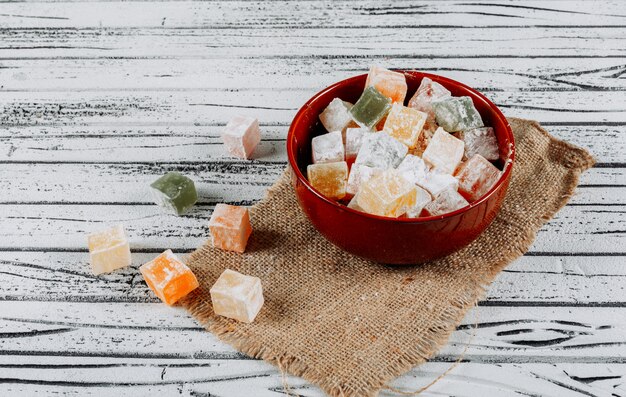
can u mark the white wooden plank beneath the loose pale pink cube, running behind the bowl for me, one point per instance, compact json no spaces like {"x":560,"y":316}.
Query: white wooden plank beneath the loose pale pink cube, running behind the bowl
{"x":161,"y":144}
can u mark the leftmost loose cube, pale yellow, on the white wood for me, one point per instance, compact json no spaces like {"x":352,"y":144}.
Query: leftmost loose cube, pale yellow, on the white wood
{"x":108,"y":250}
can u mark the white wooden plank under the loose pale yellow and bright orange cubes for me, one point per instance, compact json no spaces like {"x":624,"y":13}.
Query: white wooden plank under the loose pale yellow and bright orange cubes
{"x":66,"y":276}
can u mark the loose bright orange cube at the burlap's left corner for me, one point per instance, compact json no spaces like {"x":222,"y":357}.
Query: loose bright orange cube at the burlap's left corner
{"x":168,"y":277}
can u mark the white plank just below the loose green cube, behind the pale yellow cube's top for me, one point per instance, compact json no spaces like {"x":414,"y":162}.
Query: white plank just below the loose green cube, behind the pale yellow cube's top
{"x":575,"y":229}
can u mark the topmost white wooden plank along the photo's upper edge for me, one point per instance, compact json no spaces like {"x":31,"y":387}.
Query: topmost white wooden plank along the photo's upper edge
{"x":295,"y":14}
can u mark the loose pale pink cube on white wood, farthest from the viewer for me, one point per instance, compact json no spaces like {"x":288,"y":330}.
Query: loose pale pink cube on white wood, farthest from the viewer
{"x":241,"y":136}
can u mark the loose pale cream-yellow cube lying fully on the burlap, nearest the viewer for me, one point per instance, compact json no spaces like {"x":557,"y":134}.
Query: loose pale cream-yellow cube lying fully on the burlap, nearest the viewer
{"x":235,"y":295}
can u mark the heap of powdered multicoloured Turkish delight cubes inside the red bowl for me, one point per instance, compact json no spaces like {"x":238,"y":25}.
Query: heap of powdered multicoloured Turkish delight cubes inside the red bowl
{"x":381,"y":157}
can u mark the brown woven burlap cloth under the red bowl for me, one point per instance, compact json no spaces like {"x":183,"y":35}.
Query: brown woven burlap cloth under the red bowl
{"x":349,"y":325}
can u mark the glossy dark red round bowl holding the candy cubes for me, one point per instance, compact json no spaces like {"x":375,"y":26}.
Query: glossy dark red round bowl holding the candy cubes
{"x":388,"y":240}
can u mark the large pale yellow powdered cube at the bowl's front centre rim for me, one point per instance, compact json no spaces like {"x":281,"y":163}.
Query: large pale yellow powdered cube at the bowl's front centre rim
{"x":387,"y":194}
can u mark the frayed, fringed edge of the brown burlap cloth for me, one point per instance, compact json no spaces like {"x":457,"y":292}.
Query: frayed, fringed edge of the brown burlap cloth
{"x":437,"y":335}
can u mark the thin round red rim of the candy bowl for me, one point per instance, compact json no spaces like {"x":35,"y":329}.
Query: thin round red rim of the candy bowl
{"x":506,"y":172}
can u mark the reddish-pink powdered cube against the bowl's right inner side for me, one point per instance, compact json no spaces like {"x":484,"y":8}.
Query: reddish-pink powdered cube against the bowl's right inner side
{"x":476,"y":177}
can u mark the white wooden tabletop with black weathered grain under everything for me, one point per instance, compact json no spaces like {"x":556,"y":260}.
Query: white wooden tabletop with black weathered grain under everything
{"x":97,"y":99}
